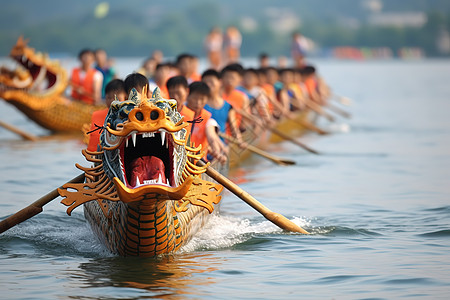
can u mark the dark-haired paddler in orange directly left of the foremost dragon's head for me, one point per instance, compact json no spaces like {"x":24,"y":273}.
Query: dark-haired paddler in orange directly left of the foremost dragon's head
{"x":115,"y":89}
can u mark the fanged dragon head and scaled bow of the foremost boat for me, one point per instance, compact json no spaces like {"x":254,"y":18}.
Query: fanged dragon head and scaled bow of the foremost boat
{"x":144,"y":194}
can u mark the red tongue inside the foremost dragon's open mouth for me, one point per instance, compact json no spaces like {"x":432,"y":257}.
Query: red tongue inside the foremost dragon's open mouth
{"x":147,"y":168}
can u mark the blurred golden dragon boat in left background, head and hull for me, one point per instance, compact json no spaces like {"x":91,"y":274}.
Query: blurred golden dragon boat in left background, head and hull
{"x":36,"y":87}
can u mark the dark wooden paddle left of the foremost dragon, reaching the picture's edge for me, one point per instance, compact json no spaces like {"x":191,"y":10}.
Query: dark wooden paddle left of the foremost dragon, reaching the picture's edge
{"x":34,"y":208}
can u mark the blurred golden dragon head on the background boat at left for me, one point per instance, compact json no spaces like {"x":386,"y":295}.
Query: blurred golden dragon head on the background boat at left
{"x":35,"y":80}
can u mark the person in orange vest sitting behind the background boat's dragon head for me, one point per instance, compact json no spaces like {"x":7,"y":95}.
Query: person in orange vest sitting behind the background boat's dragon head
{"x":85,"y":80}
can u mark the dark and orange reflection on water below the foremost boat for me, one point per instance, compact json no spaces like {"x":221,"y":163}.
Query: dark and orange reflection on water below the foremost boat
{"x":171,"y":276}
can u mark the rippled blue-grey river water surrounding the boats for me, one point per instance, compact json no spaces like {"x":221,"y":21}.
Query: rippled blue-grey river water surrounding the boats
{"x":376,"y":201}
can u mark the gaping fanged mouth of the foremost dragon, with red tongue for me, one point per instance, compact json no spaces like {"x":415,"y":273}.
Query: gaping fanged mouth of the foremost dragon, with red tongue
{"x":148,"y":159}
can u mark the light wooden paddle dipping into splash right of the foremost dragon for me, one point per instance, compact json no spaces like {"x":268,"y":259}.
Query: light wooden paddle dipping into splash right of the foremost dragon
{"x":276,"y":218}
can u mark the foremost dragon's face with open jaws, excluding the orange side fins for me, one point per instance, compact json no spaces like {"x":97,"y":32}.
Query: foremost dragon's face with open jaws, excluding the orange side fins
{"x":144,"y":144}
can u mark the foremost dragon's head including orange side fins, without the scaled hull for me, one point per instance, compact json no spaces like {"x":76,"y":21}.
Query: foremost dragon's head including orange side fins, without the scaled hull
{"x":143,"y":156}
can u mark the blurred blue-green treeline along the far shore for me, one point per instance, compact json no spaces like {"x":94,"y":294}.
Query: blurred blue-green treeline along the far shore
{"x":136,"y":27}
